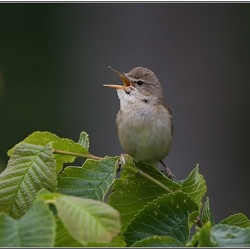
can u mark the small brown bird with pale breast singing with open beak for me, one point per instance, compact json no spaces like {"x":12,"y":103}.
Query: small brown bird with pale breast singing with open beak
{"x":144,"y":122}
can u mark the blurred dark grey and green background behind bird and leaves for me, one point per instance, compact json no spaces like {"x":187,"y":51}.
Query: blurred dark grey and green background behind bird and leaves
{"x":54,"y":59}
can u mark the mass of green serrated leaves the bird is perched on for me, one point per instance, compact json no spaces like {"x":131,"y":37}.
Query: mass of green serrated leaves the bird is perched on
{"x":46,"y":201}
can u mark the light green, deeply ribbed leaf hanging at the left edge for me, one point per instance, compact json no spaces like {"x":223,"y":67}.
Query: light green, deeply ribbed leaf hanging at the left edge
{"x":30,"y":168}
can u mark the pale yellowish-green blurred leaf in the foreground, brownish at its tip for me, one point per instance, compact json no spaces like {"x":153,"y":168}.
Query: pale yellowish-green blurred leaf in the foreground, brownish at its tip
{"x":88,"y":221}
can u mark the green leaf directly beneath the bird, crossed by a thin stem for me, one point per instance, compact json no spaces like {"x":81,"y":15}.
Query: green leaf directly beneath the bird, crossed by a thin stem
{"x":133,"y":191}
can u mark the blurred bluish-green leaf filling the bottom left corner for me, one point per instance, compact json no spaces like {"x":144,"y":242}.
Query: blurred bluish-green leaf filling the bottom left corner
{"x":35,"y":229}
